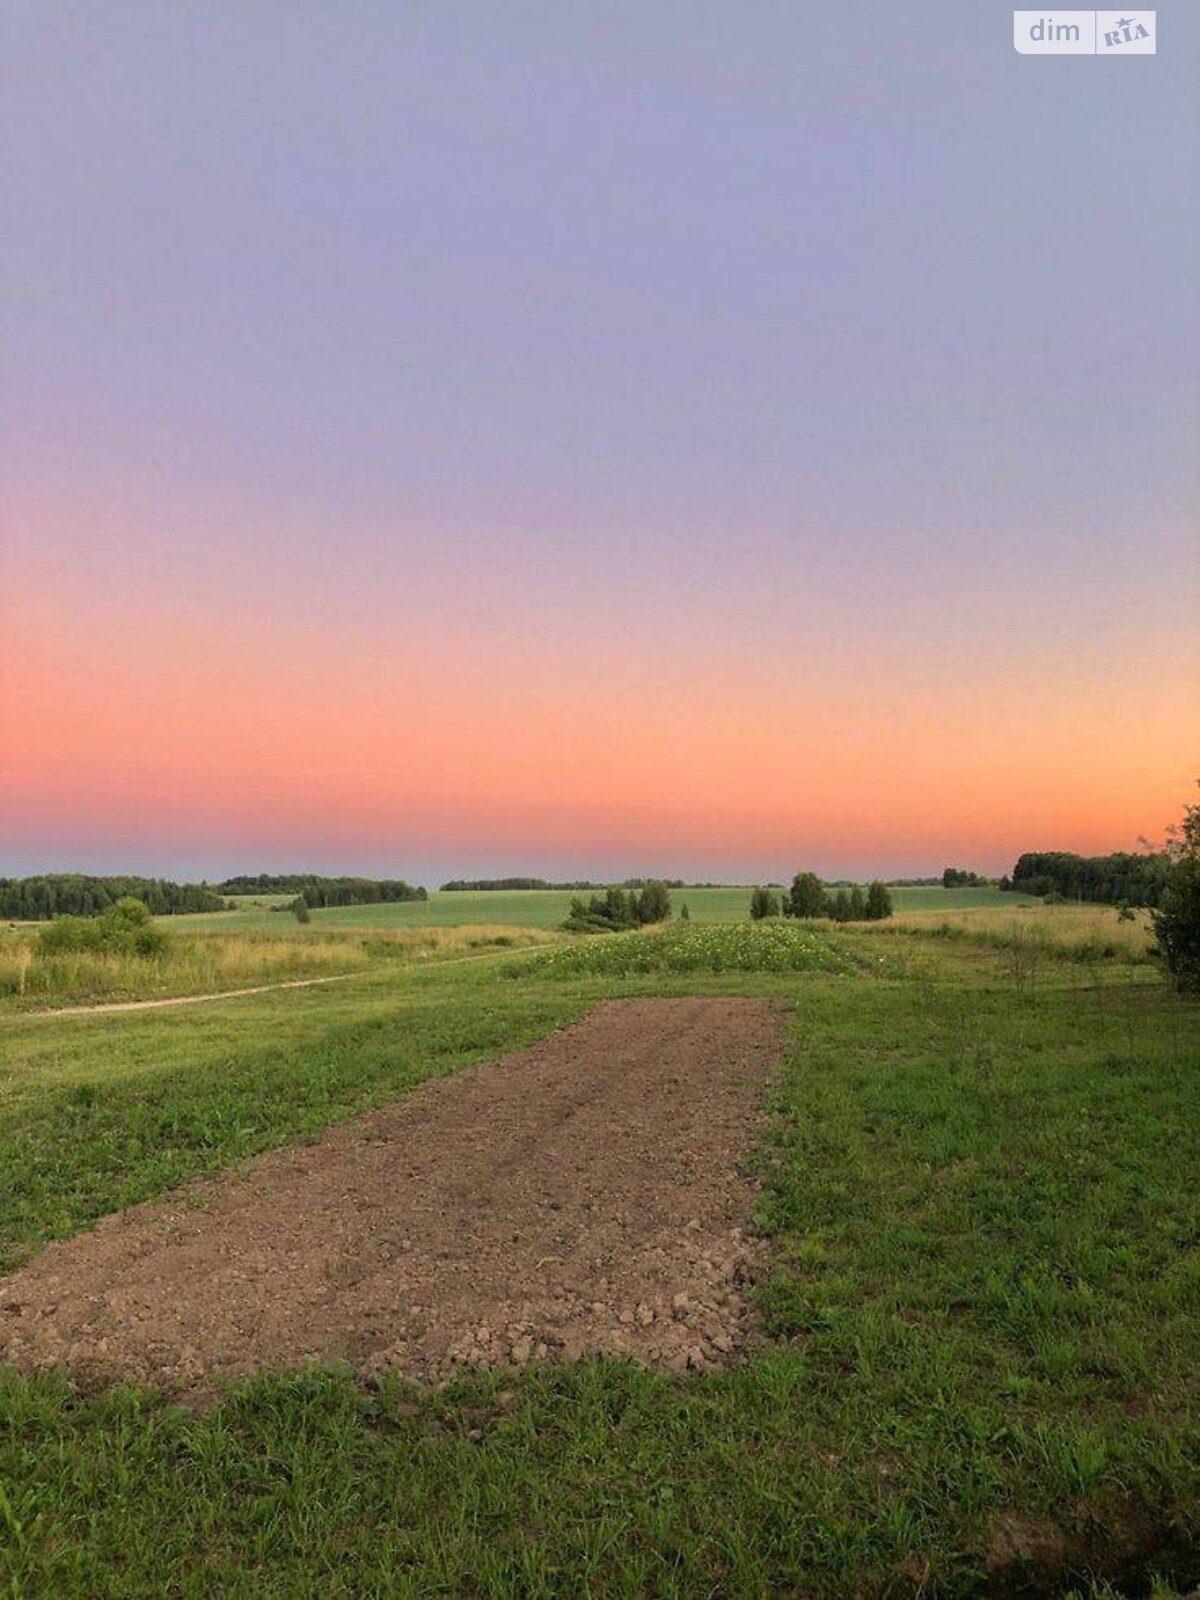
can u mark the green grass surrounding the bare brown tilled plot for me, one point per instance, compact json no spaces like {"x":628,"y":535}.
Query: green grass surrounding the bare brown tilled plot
{"x":982,"y":1337}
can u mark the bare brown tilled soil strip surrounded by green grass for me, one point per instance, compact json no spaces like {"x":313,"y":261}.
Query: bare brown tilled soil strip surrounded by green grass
{"x":577,"y":1198}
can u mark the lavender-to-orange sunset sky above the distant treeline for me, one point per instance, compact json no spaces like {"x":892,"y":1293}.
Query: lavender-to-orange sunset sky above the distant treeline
{"x":460,"y":439}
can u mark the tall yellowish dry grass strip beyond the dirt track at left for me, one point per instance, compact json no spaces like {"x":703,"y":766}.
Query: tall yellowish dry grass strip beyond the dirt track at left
{"x":204,"y":961}
